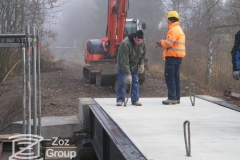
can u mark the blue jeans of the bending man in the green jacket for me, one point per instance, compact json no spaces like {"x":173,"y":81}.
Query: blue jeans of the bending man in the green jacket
{"x":121,"y":86}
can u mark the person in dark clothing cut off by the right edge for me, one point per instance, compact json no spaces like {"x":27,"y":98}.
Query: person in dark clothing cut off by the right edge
{"x":236,"y":56}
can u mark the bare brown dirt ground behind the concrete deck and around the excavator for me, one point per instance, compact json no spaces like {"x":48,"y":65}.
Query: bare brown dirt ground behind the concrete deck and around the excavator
{"x":63,"y":85}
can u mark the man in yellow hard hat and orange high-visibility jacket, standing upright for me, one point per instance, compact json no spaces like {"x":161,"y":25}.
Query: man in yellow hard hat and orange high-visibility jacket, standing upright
{"x":173,"y":52}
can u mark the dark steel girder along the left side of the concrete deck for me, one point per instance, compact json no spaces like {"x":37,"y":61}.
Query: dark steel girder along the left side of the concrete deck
{"x":108,"y":140}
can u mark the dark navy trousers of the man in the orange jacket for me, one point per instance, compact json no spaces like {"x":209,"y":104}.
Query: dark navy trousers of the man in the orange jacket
{"x":172,"y":77}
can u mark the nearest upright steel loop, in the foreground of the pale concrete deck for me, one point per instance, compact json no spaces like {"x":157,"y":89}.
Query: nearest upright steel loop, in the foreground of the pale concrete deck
{"x":187,"y":140}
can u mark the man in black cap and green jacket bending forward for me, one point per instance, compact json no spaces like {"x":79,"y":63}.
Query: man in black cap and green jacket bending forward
{"x":130,"y":61}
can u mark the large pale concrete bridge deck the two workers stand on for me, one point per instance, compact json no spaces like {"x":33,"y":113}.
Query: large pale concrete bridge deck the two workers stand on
{"x":157,"y":130}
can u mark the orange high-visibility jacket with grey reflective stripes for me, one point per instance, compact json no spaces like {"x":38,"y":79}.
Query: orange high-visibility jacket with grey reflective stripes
{"x":174,"y":44}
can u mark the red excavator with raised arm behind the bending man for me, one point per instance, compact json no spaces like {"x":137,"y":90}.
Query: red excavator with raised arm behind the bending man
{"x":99,"y":53}
